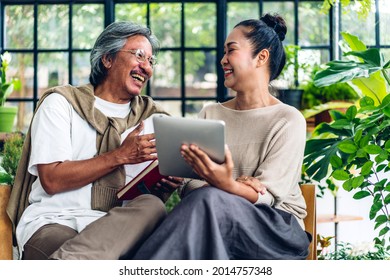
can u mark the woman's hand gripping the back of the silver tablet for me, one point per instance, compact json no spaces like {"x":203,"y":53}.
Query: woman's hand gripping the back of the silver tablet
{"x":218,"y":175}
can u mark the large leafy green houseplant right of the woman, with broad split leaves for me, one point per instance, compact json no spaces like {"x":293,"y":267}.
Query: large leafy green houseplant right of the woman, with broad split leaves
{"x":355,"y":148}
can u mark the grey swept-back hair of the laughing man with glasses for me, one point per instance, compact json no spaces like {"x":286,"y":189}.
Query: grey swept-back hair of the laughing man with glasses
{"x":110,"y":41}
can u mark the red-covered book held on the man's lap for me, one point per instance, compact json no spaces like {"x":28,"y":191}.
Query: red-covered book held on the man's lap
{"x":142,"y":183}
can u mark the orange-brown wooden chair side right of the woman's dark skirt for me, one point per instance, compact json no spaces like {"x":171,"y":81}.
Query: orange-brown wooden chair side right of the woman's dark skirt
{"x":310,"y":221}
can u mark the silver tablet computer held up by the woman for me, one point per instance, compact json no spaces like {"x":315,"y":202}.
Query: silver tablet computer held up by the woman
{"x":172,"y":132}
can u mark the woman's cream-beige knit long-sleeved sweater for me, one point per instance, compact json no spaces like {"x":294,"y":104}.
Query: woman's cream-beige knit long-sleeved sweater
{"x":267,"y":143}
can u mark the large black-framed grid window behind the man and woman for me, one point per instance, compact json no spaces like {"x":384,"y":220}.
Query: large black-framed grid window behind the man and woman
{"x":186,"y":75}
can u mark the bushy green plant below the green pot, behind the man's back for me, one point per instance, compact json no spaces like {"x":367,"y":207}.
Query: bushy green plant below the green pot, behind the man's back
{"x":11,"y":153}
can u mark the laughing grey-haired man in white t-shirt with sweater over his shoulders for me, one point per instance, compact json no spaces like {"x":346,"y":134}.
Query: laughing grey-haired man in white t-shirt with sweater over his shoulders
{"x":83,"y":144}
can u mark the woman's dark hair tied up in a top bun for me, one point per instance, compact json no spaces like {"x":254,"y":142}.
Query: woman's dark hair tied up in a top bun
{"x":268,"y":33}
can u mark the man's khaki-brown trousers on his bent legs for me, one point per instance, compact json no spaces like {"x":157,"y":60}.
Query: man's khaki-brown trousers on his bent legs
{"x":116,"y":235}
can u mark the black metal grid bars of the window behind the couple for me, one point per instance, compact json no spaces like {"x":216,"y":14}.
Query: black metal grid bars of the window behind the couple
{"x":109,"y":17}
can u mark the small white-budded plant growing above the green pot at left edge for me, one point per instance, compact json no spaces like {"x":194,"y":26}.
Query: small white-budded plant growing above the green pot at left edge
{"x":6,"y":88}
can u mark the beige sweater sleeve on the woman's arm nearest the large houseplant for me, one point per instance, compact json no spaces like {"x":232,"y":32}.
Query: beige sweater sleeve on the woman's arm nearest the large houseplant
{"x":281,"y":168}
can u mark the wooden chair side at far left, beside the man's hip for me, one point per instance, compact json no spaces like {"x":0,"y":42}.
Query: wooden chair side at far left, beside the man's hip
{"x":5,"y":225}
